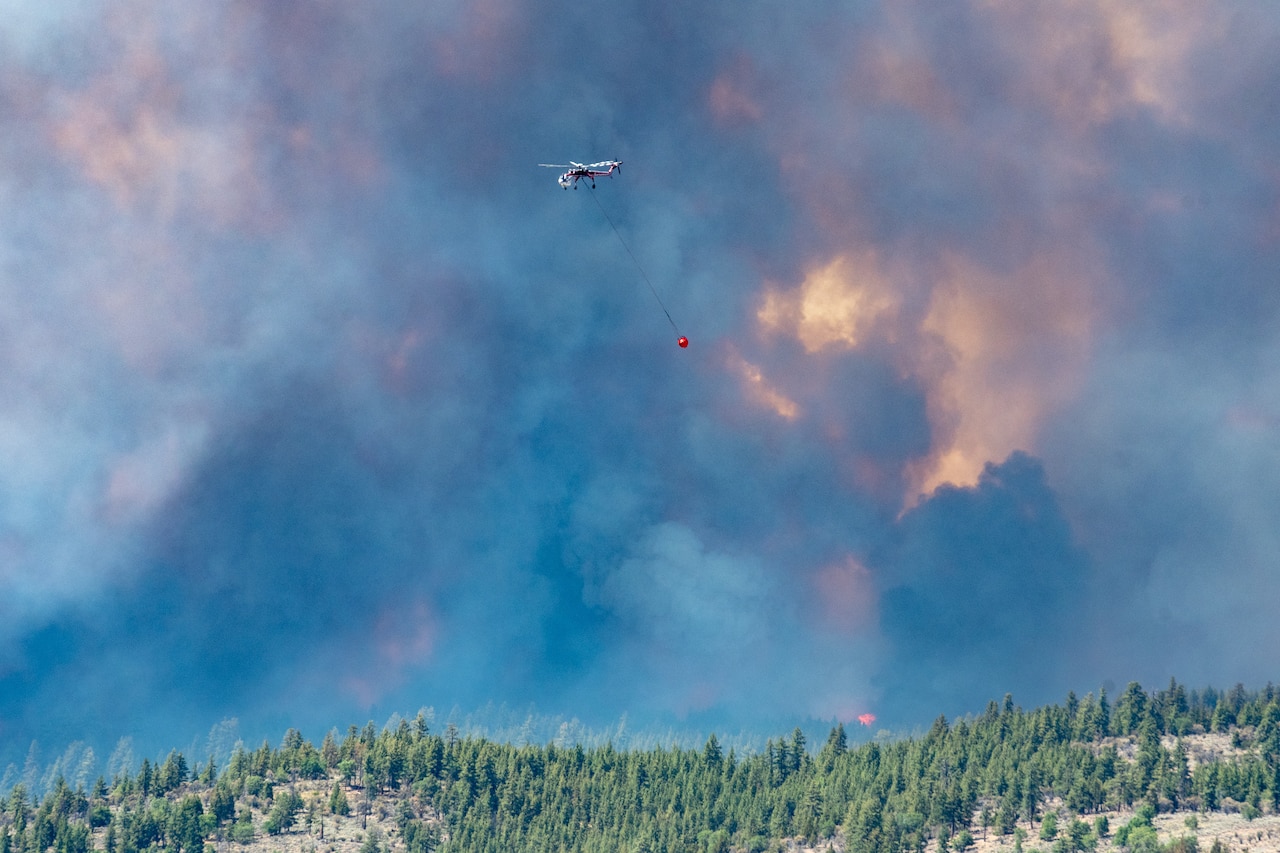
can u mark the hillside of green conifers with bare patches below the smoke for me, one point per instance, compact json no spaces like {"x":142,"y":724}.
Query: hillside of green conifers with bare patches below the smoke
{"x":1066,"y":778}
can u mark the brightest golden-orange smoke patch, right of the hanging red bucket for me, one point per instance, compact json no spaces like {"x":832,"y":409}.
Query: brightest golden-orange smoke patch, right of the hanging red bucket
{"x":998,"y":353}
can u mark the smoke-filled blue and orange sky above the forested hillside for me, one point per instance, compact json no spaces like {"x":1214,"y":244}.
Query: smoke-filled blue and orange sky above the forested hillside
{"x":319,"y":399}
